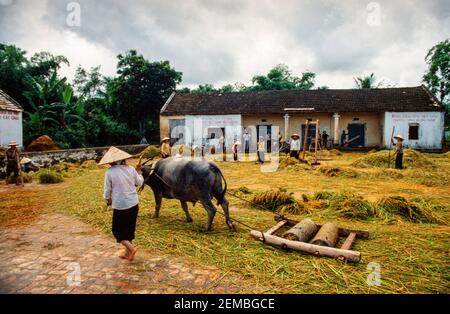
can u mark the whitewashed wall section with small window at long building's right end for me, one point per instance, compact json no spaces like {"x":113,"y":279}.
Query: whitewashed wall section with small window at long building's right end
{"x":431,"y":128}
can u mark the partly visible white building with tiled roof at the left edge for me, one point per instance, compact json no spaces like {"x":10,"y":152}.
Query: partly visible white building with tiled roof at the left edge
{"x":10,"y":120}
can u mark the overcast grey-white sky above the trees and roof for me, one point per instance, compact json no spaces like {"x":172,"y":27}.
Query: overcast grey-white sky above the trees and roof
{"x":228,"y":41}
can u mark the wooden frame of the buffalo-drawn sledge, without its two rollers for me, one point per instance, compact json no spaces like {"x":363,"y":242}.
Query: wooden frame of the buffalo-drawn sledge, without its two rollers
{"x":343,"y":253}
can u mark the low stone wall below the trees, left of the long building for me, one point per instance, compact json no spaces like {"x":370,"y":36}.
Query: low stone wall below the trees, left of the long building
{"x":49,"y":158}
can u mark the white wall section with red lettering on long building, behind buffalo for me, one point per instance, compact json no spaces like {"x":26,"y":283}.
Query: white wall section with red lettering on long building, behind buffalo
{"x":198,"y":125}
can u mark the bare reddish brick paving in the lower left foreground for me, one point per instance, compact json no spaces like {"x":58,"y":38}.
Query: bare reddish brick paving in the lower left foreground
{"x":60,"y":254}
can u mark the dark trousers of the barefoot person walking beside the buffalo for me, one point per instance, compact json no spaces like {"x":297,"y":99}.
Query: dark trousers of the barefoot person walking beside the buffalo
{"x":124,"y":223}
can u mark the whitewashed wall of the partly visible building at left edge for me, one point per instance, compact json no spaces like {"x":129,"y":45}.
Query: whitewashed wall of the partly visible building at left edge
{"x":11,"y":127}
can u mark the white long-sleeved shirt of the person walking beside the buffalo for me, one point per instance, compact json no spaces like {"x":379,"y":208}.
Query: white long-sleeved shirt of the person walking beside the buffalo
{"x":120,"y":186}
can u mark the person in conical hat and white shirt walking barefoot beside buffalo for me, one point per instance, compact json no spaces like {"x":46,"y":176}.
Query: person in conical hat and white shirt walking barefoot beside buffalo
{"x":121,"y":181}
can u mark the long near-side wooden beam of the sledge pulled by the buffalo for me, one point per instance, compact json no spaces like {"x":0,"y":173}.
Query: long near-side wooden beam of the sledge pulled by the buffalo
{"x":348,"y":255}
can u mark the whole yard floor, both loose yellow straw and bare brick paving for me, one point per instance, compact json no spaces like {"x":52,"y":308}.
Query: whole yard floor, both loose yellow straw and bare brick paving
{"x":410,"y":257}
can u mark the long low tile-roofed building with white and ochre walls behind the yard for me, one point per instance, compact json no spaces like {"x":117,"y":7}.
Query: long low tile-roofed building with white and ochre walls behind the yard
{"x":366,"y":115}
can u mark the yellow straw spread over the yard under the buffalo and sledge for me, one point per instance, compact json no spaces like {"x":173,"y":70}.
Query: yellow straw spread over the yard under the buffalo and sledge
{"x":414,"y":257}
